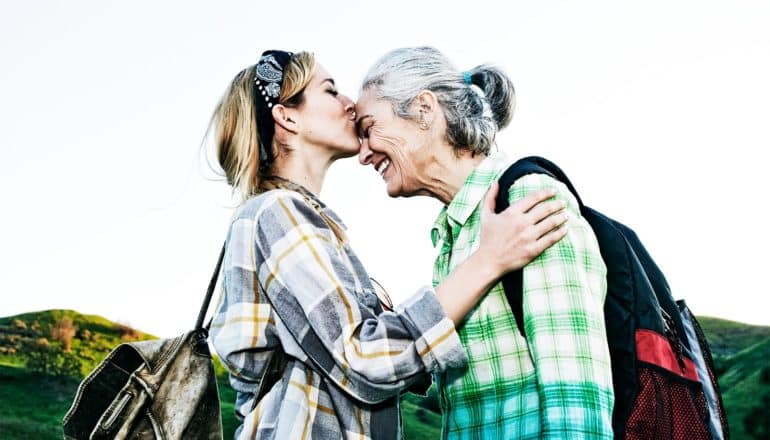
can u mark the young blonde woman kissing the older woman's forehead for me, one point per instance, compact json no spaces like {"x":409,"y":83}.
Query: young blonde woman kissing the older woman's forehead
{"x":294,"y":288}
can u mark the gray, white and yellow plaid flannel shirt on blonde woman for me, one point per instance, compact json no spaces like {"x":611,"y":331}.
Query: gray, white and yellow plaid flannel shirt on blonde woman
{"x":288,"y":281}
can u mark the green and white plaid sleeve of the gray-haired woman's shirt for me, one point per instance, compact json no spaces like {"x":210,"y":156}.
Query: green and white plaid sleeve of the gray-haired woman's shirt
{"x":563,"y":305}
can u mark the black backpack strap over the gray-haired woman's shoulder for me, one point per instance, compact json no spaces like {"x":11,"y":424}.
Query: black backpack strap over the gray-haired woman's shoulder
{"x":512,"y":282}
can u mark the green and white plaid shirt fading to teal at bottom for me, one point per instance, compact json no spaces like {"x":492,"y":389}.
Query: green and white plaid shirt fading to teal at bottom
{"x":558,"y":382}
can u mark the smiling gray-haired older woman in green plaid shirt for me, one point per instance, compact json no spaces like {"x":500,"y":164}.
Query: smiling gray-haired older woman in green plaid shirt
{"x":428,"y":129}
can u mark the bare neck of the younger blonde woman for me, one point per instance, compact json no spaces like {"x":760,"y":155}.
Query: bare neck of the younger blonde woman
{"x":304,"y":166}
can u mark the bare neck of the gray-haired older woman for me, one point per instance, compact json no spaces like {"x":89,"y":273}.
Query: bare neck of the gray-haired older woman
{"x":446,"y":173}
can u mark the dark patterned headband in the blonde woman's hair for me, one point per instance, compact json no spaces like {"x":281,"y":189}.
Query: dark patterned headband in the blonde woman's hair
{"x":267,"y":88}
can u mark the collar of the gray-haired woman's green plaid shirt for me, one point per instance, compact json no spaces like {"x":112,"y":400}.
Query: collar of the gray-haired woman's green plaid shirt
{"x":469,"y":196}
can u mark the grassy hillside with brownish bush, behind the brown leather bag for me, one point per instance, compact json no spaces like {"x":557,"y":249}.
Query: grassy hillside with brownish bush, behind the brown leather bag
{"x":50,"y":392}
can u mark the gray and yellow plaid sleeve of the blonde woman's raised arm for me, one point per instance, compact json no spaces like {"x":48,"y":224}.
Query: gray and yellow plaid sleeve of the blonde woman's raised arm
{"x":309,"y":279}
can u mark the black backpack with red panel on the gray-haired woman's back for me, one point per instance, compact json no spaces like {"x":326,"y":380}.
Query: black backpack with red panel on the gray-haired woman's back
{"x":662,"y":371}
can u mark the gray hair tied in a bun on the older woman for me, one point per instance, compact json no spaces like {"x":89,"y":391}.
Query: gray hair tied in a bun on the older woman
{"x":474,"y":113}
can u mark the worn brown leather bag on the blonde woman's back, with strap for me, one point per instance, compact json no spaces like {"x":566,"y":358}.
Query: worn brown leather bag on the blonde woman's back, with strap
{"x":159,"y":389}
